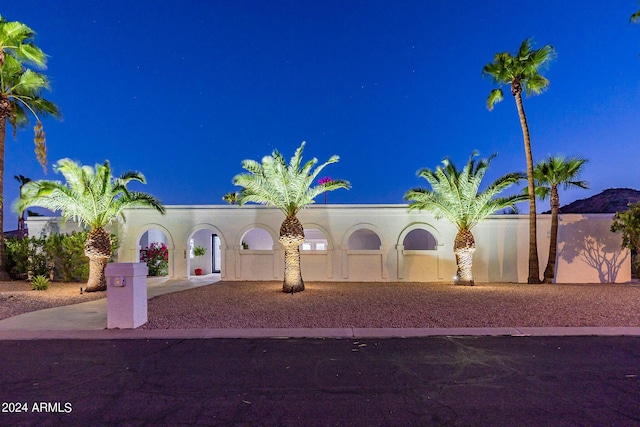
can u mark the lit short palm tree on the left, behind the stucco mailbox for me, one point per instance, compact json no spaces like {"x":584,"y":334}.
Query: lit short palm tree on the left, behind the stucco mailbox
{"x":94,"y":198}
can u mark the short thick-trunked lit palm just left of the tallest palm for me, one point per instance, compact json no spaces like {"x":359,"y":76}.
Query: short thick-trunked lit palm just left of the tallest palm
{"x":454,"y":196}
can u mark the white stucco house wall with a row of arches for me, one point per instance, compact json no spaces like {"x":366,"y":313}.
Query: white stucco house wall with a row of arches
{"x":588,"y":251}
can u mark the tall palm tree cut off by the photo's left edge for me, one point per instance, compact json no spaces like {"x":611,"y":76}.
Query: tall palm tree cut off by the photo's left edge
{"x":20,"y":95}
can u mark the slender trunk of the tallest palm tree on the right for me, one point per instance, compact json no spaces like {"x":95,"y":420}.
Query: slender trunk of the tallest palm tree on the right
{"x":534,"y":266}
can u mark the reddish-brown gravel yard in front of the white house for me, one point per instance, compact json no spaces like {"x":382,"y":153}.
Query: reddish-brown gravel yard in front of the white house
{"x":376,"y":305}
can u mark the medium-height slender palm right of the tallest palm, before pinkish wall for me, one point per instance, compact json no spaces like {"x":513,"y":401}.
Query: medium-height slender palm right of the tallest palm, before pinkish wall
{"x":549,"y":175}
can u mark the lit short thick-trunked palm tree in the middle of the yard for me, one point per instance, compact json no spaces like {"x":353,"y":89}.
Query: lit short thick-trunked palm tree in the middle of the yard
{"x":288,"y":188}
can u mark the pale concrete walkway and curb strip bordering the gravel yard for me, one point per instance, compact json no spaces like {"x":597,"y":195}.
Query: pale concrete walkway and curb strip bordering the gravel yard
{"x":88,"y":320}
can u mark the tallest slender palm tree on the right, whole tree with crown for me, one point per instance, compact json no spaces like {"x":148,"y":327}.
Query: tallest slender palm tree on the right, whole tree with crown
{"x":522,"y":72}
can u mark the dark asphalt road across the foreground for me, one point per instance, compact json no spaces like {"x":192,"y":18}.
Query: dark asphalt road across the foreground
{"x":492,"y":381}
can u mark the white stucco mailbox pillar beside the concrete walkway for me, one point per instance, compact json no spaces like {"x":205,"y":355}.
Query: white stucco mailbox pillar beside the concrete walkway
{"x":126,"y":295}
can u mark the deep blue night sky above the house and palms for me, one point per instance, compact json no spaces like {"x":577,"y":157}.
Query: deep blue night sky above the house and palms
{"x":183,"y":91}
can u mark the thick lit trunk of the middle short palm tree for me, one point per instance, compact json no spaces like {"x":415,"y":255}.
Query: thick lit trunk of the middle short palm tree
{"x":291,"y":237}
